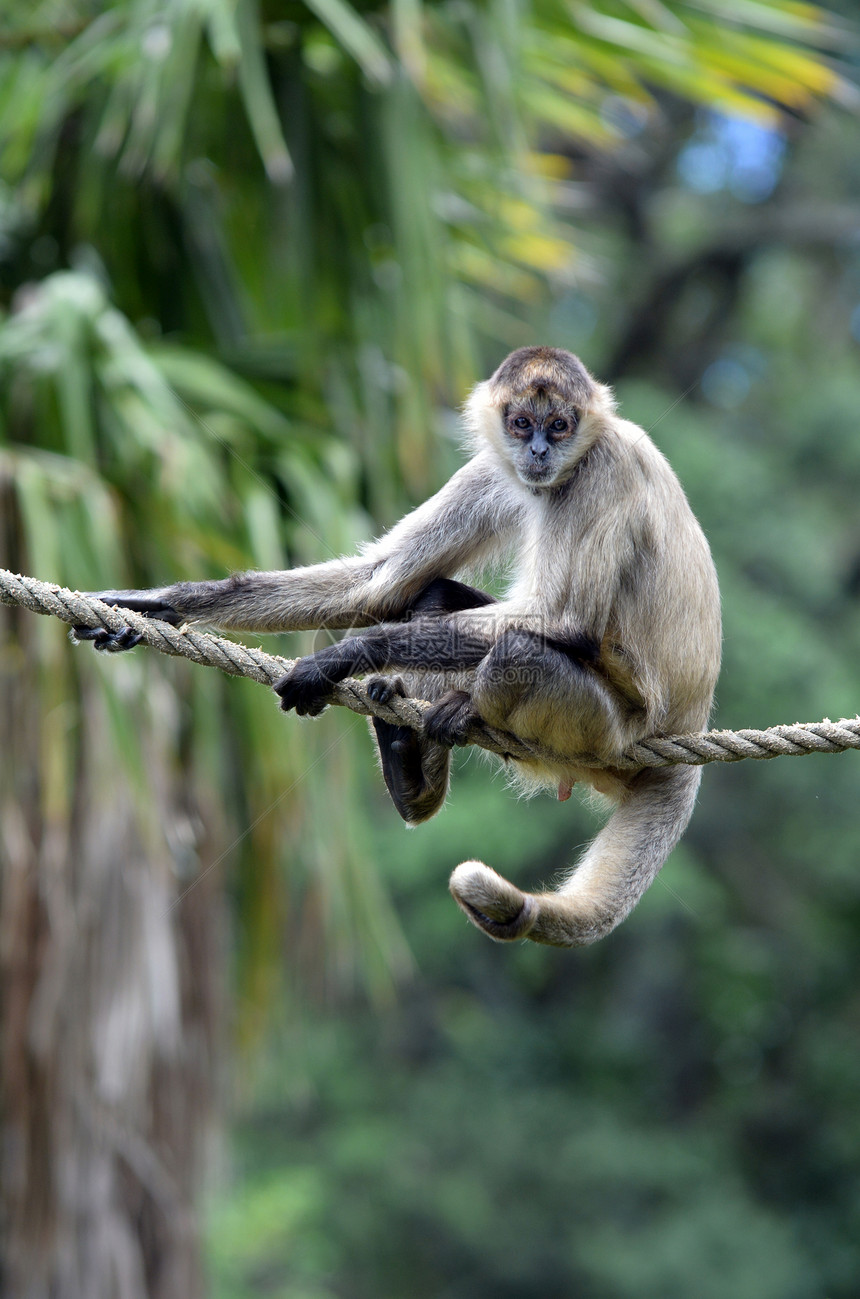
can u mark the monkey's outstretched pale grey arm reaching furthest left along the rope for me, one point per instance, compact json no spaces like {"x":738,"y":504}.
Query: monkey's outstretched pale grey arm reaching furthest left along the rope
{"x":463,"y":524}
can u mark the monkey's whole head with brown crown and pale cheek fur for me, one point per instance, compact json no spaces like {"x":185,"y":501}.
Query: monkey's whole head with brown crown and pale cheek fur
{"x":541,"y":412}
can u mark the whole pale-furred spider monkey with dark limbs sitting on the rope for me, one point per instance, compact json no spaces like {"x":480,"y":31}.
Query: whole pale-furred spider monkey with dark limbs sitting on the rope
{"x":610,"y":631}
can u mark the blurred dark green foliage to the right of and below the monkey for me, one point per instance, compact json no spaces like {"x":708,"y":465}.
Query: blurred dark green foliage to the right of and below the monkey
{"x":672,"y":1113}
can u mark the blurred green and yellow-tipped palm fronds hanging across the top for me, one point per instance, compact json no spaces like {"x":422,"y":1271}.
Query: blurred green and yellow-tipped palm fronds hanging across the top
{"x":419,"y":168}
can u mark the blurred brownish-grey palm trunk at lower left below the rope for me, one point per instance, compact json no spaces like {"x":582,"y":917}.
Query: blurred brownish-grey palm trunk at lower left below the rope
{"x":108,"y":1005}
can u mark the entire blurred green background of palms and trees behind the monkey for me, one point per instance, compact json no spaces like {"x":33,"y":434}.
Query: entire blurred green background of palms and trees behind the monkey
{"x":253,"y":255}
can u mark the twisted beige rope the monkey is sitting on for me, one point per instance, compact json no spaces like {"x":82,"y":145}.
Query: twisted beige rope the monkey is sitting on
{"x":240,"y":661}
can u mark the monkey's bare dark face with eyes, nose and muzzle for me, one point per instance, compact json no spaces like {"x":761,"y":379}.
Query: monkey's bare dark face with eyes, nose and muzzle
{"x":541,"y":436}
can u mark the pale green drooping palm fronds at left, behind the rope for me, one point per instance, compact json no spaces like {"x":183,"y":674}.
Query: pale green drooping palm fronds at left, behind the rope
{"x":127,"y":466}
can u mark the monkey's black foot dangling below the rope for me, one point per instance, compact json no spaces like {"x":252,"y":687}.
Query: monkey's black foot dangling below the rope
{"x":415,"y":770}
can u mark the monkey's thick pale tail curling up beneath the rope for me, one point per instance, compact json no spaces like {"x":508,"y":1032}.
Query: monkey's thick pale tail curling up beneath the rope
{"x":609,"y":881}
